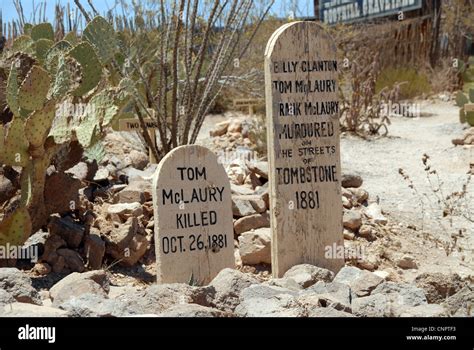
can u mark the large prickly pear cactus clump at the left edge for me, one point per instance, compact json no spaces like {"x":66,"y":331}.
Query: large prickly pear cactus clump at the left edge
{"x":42,"y":76}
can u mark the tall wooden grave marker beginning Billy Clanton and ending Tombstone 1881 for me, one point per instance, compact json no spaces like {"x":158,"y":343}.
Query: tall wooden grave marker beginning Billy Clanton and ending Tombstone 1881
{"x":303,"y":148}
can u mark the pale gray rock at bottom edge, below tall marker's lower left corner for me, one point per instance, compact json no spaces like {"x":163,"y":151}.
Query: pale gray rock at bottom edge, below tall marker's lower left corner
{"x":266,"y":301}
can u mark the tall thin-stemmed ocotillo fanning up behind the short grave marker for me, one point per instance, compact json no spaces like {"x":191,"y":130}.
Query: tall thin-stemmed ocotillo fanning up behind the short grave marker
{"x":178,"y":58}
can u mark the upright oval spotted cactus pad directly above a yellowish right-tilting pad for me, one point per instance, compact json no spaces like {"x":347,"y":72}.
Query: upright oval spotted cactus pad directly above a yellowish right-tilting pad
{"x":34,"y":89}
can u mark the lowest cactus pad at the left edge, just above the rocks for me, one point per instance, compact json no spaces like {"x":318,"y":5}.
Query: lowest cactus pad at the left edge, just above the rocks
{"x":16,"y":228}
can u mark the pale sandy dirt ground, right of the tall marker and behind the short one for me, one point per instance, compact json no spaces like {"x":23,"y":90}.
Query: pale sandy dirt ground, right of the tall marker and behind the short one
{"x":419,"y":231}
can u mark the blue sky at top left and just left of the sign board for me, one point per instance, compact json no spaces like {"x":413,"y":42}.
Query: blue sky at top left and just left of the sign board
{"x":280,"y":8}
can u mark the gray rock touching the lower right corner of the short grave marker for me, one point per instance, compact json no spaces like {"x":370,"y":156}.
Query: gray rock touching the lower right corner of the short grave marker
{"x":228,"y":285}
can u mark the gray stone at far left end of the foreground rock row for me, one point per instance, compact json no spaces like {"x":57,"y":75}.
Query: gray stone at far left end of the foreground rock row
{"x":18,"y":285}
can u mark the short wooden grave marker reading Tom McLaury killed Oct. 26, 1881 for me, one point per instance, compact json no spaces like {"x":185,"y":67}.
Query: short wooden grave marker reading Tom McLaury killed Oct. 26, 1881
{"x":194,"y":235}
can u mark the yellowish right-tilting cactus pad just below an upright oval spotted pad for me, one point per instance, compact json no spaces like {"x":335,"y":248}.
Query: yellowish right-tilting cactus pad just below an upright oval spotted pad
{"x":39,"y":123}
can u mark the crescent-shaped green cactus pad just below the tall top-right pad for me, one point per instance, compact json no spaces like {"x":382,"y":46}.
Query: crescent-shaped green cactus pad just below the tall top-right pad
{"x":91,"y":68}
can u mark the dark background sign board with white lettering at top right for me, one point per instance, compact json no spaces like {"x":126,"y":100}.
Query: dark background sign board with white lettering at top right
{"x":347,"y":11}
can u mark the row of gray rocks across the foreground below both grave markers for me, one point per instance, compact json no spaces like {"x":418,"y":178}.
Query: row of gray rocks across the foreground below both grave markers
{"x":304,"y":291}
